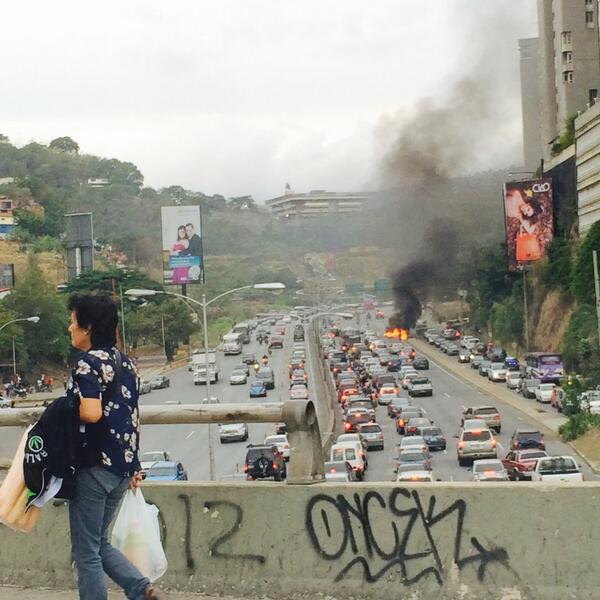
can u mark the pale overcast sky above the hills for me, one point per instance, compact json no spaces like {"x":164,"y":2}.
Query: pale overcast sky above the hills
{"x":239,"y":97}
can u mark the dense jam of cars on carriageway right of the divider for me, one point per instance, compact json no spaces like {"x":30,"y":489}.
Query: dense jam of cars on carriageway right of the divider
{"x":388,"y":404}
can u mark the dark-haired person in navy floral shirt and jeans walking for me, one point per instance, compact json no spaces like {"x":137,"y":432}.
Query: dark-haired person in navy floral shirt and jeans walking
{"x":106,"y":385}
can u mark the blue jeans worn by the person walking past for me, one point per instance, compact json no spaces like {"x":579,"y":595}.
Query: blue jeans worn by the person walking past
{"x":91,"y":512}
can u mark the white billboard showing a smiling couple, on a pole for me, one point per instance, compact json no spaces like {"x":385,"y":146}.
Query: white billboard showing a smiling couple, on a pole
{"x":183,"y":261}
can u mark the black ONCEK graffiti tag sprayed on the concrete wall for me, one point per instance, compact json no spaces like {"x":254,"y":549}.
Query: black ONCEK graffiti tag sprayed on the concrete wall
{"x":400,"y":534}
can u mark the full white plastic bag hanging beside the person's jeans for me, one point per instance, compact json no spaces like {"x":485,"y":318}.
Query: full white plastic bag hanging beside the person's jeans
{"x":136,"y":534}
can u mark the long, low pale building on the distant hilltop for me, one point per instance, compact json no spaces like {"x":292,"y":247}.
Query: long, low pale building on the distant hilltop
{"x":317,"y":203}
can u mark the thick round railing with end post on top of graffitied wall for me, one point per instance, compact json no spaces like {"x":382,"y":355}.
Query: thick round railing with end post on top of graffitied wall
{"x":306,"y":456}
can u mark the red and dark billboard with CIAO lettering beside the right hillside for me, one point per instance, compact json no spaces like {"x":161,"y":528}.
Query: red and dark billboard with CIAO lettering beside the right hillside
{"x":528,"y":220}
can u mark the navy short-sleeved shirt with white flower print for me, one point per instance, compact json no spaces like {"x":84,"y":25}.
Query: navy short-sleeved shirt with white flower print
{"x":114,"y":441}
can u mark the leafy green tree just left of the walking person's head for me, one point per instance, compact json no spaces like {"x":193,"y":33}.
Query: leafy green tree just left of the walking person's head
{"x":47,"y":340}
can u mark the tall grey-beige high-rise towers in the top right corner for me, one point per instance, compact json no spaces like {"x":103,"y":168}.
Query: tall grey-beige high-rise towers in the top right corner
{"x":568,"y":71}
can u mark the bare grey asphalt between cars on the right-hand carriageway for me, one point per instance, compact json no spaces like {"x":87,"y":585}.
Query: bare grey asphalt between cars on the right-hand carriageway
{"x":450,"y":394}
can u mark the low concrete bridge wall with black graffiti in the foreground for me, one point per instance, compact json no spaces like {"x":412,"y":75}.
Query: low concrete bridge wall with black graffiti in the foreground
{"x":467,"y":541}
